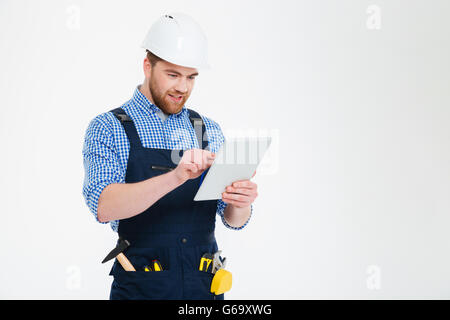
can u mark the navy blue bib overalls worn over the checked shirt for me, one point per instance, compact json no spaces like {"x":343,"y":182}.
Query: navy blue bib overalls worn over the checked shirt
{"x":176,"y":230}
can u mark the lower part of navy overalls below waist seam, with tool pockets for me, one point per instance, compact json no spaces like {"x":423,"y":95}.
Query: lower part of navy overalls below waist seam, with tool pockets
{"x":179,"y":262}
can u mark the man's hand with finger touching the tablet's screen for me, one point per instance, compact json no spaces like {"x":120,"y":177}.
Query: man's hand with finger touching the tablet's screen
{"x":193,"y":163}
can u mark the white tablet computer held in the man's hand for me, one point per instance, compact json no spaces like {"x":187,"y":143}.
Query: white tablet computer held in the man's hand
{"x":237,"y":159}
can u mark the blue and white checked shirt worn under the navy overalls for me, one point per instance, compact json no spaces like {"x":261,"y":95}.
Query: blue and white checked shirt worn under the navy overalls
{"x":106,"y":146}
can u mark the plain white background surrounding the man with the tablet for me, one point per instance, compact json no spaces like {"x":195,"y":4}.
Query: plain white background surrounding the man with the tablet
{"x":358,"y":206}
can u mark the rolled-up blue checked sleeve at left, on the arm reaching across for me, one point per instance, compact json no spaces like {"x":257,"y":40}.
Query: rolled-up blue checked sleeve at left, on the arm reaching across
{"x":101,"y":165}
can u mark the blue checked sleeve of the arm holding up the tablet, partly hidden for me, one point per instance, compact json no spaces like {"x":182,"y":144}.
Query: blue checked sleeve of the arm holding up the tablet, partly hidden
{"x":216,"y":139}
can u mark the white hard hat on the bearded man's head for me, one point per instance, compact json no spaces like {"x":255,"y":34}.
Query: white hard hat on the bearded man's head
{"x":178,"y":39}
